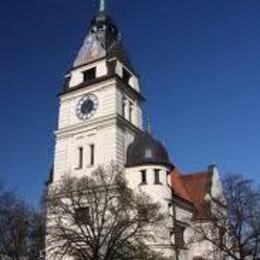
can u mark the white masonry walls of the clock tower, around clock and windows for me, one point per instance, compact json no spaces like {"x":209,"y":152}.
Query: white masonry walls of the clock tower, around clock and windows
{"x":106,"y":129}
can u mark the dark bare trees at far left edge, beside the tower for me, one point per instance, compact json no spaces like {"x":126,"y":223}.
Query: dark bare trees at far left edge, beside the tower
{"x":21,"y":229}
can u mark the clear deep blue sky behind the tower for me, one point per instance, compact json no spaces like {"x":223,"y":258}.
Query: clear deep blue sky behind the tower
{"x":199,"y":65}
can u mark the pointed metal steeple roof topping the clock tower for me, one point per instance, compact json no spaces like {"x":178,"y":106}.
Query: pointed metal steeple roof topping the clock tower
{"x":102,"y":41}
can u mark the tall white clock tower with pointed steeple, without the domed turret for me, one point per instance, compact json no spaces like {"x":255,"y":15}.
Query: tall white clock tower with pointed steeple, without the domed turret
{"x":100,"y":106}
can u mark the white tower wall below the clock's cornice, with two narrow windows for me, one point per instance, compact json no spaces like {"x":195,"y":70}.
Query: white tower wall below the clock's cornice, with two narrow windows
{"x":110,"y":141}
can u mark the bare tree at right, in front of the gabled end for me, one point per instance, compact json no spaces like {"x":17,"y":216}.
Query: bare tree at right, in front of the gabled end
{"x":233,"y":229}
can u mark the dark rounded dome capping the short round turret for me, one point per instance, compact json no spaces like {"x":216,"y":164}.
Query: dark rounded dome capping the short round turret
{"x":146,"y":151}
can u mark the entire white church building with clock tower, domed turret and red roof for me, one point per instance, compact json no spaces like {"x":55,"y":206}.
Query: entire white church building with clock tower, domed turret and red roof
{"x":101,"y":120}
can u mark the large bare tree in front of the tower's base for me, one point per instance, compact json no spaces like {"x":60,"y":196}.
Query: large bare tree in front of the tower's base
{"x":99,"y":217}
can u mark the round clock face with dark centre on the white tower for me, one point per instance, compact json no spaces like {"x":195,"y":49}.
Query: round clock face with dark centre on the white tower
{"x":87,"y":106}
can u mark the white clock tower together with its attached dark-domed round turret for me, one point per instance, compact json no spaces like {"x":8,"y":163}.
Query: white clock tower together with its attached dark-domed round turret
{"x":100,"y":121}
